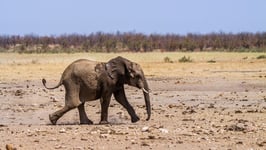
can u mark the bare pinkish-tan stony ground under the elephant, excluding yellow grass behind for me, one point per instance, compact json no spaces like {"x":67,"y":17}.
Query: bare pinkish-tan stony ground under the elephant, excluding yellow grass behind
{"x":221,"y":110}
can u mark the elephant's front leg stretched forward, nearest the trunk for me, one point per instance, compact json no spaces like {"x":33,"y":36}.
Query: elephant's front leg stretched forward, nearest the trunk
{"x":121,"y":98}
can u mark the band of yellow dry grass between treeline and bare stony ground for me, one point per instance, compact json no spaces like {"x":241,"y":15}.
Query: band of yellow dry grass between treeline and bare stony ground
{"x":36,"y":66}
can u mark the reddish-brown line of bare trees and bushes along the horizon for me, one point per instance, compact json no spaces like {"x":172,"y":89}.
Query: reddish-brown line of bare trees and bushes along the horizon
{"x":134,"y":42}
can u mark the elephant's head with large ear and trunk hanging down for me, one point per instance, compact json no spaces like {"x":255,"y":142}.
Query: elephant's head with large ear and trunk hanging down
{"x":127,"y":72}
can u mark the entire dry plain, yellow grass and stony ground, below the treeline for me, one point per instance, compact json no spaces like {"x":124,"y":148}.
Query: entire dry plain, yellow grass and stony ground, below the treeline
{"x":217,"y":101}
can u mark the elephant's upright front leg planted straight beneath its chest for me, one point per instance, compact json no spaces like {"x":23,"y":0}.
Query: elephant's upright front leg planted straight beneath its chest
{"x":105,"y":101}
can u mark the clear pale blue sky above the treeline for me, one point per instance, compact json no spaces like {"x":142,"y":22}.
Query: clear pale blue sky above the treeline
{"x":56,"y":17}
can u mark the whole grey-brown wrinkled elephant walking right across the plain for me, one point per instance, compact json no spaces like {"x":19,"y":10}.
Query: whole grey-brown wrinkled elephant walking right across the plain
{"x":86,"y":80}
